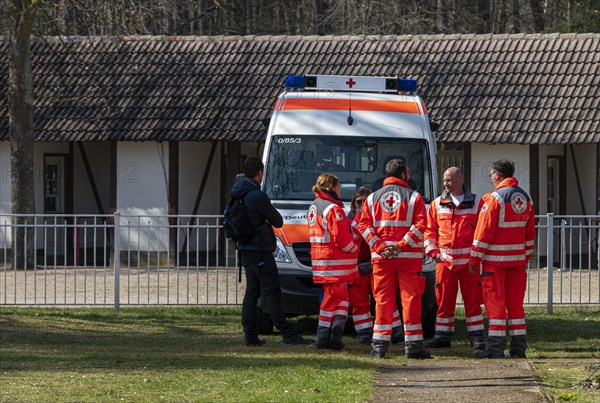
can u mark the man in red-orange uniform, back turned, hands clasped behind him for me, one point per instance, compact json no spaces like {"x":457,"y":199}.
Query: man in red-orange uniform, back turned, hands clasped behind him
{"x":393,"y":222}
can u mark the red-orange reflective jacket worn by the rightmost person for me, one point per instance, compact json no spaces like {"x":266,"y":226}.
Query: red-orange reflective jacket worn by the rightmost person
{"x":505,"y":230}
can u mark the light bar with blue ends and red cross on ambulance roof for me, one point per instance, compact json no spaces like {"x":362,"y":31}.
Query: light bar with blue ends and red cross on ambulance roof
{"x":350,"y":83}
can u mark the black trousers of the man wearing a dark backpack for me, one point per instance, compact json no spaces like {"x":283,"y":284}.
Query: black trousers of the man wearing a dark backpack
{"x":262,"y":277}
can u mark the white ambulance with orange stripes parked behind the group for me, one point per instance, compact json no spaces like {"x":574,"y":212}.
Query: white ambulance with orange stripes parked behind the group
{"x":350,"y":126}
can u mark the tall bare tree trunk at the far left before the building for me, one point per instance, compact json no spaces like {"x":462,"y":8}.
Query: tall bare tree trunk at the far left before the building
{"x":20,"y":129}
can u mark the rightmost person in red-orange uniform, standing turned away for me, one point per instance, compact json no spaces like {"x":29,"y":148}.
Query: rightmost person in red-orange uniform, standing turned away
{"x":502,"y":244}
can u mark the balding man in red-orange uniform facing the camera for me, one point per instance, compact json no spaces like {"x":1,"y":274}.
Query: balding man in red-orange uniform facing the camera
{"x":451,"y":222}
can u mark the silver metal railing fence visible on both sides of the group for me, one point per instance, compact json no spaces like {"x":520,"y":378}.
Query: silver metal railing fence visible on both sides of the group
{"x":120,"y":260}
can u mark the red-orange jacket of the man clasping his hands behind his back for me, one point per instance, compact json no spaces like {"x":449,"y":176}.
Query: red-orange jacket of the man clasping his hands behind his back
{"x":394,"y":214}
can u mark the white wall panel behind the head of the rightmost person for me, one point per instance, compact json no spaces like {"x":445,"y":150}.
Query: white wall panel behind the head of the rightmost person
{"x":484,"y":155}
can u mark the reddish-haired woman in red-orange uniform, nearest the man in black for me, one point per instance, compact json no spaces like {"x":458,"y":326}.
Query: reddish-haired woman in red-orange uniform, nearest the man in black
{"x":334,"y":254}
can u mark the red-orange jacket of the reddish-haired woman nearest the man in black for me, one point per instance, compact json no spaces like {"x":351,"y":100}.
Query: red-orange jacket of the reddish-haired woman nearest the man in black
{"x":333,"y":251}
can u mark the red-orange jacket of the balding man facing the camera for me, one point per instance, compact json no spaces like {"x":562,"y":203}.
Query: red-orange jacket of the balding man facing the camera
{"x":450,"y":228}
